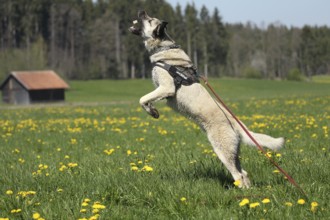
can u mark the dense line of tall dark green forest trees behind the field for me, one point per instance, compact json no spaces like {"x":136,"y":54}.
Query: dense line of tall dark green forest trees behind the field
{"x":89,"y":39}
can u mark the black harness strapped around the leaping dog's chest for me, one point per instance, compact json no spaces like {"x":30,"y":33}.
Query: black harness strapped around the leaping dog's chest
{"x":181,"y":75}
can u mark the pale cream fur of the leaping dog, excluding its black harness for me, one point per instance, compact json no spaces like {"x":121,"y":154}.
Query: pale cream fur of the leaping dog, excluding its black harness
{"x":196,"y":103}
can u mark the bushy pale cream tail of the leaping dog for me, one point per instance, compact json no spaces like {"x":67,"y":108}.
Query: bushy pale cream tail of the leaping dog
{"x":262,"y":139}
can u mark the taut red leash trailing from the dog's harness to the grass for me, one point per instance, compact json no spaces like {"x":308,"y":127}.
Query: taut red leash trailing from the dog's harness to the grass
{"x":291,"y":180}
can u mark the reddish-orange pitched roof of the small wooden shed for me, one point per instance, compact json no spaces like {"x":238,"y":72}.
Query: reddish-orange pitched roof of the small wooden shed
{"x":38,"y":80}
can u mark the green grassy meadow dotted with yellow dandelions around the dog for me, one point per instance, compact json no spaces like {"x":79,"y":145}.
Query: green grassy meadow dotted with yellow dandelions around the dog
{"x":101,"y":157}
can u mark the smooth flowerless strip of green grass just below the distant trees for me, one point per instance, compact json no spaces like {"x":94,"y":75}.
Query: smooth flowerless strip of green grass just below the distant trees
{"x":233,"y":89}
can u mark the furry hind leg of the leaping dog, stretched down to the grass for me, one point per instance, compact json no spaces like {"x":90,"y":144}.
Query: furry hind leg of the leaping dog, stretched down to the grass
{"x":227,"y":149}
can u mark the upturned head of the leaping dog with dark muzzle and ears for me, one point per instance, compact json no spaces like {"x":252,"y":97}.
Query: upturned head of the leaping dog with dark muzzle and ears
{"x":148,"y":27}
